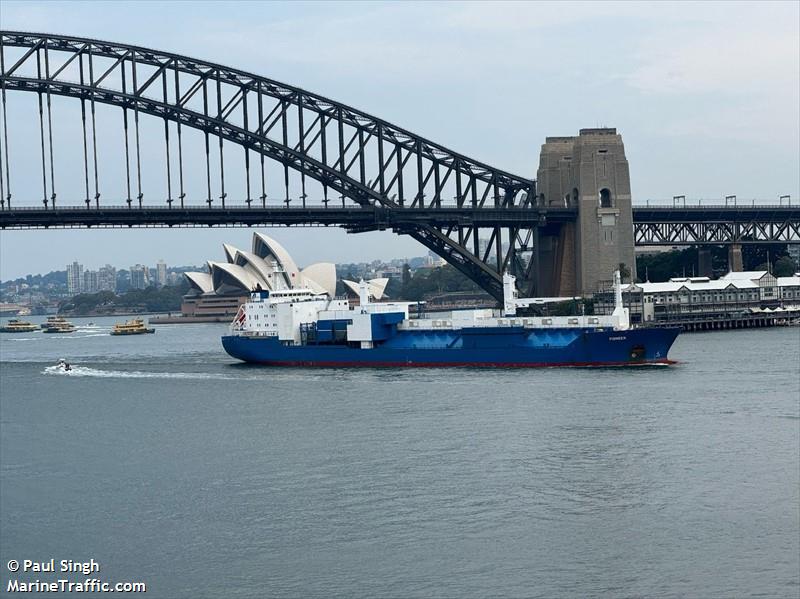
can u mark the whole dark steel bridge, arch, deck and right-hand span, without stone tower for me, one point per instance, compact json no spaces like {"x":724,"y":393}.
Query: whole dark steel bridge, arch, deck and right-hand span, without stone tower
{"x":303,"y":159}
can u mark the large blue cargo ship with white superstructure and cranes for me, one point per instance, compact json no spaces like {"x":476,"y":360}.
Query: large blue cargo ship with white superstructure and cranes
{"x":297,"y":327}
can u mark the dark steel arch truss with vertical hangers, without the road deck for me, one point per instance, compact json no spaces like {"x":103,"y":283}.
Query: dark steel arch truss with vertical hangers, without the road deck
{"x":360,"y":159}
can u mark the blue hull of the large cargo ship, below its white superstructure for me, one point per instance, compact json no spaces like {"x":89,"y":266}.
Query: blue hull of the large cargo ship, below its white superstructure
{"x":480,"y":347}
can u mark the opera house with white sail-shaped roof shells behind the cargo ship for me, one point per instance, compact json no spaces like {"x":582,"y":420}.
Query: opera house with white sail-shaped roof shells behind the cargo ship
{"x":217,"y":294}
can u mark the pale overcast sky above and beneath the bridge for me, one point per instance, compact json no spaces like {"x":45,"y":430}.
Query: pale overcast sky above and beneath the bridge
{"x":705,"y":95}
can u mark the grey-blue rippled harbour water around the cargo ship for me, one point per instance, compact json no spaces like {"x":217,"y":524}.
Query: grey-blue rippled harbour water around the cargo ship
{"x":165,"y":461}
